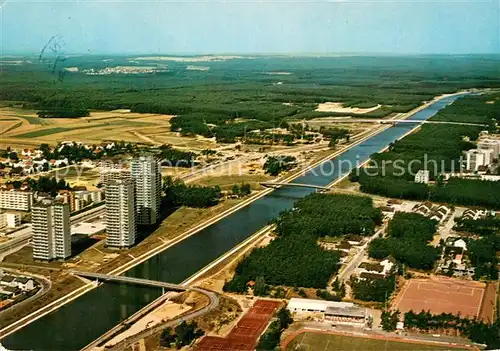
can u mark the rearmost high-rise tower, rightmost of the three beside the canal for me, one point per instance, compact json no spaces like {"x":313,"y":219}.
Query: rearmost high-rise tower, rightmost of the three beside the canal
{"x":146,"y":173}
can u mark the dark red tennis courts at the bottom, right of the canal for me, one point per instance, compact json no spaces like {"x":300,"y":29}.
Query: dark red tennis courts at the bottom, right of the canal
{"x":245,"y":335}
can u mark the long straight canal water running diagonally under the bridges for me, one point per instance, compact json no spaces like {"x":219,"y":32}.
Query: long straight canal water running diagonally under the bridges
{"x":85,"y":319}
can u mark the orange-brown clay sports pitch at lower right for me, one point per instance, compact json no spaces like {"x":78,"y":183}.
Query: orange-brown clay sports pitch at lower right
{"x":441,"y":295}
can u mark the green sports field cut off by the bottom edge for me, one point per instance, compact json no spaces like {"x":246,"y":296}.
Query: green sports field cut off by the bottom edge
{"x":323,"y":342}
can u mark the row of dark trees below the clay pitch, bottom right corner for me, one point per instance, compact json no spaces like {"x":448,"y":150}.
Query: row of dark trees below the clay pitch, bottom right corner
{"x":477,"y":331}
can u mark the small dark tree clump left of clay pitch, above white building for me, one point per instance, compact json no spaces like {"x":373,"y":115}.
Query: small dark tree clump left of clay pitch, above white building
{"x":377,"y":290}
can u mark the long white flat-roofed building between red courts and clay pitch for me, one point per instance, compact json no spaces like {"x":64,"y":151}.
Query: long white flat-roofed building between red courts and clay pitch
{"x":339,"y":312}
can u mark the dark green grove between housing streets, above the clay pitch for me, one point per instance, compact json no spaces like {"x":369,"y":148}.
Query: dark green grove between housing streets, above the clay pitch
{"x":407,"y":241}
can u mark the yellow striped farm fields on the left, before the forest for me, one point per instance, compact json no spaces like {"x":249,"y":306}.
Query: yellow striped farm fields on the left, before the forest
{"x":20,"y":128}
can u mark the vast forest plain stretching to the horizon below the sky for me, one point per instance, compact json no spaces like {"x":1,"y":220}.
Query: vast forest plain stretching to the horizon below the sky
{"x":211,"y":102}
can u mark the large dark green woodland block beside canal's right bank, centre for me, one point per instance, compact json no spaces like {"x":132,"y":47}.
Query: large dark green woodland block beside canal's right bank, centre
{"x":294,"y":258}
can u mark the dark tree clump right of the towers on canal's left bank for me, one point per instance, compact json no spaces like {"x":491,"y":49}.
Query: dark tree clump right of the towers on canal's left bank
{"x":179,"y":194}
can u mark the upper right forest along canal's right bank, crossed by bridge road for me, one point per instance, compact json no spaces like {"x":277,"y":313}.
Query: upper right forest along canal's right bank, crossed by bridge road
{"x":439,"y":149}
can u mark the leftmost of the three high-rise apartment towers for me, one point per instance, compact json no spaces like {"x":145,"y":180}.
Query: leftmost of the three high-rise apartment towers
{"x":51,"y":230}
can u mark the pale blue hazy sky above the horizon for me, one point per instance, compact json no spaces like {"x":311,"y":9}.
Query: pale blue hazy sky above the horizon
{"x":303,"y":26}
